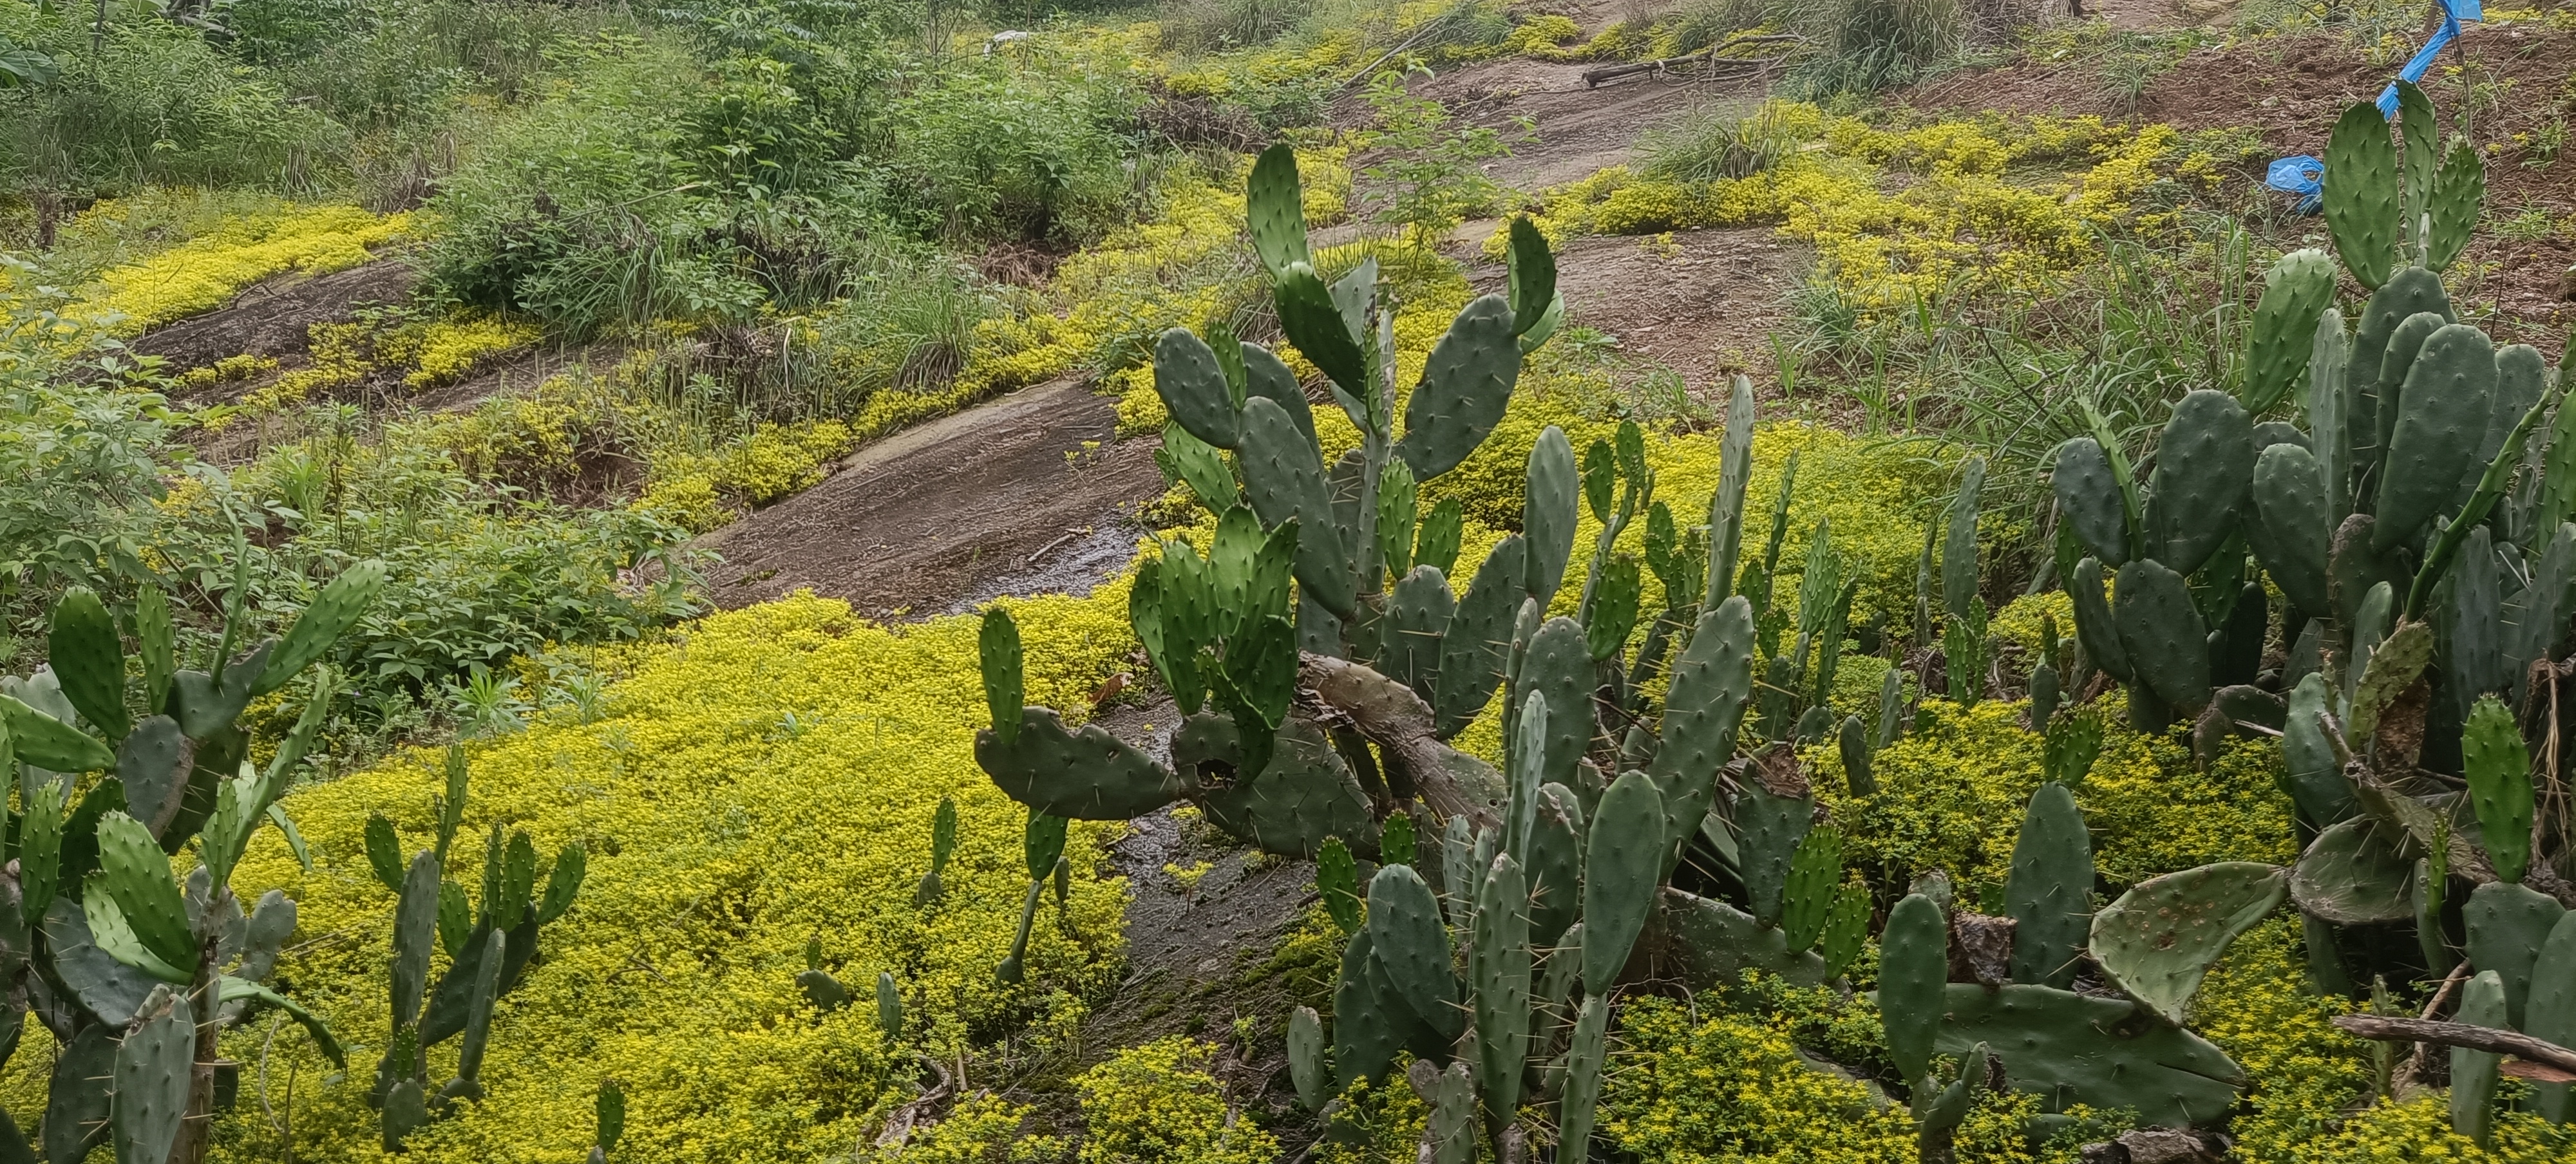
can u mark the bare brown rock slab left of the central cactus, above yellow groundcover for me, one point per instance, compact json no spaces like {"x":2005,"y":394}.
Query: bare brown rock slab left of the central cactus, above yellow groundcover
{"x":1029,"y":493}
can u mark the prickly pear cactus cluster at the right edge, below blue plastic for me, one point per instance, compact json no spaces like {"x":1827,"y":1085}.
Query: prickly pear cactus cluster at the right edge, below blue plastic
{"x":2415,"y":524}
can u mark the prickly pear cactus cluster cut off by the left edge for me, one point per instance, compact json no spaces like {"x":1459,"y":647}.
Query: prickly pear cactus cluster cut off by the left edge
{"x":130,"y":970}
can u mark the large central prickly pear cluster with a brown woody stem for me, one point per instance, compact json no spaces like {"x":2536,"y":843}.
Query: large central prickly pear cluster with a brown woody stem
{"x":1323,"y":663}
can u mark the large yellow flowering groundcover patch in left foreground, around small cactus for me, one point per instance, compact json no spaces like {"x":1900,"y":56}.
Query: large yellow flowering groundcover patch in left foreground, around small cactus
{"x":753,"y":784}
